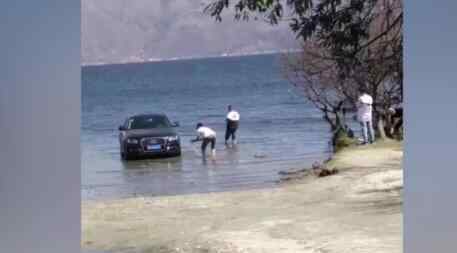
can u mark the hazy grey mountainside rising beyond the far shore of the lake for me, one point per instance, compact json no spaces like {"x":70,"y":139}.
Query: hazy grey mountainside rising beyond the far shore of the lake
{"x":125,"y":30}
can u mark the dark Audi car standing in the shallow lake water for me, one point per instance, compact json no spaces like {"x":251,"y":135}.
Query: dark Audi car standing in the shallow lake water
{"x":148,"y":135}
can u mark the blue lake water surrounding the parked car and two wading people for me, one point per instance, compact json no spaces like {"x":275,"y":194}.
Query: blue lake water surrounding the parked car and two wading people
{"x":278,"y":129}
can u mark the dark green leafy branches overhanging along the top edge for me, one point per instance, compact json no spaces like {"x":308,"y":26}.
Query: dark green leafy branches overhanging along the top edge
{"x":341,"y":26}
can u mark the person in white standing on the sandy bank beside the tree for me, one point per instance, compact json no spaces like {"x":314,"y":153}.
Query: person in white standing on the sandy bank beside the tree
{"x":364,"y":115}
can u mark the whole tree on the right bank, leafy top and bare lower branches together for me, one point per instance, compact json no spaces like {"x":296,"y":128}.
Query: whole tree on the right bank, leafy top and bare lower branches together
{"x":346,"y":44}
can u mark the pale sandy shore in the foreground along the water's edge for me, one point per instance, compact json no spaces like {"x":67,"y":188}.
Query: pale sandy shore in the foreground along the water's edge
{"x":356,"y":210}
